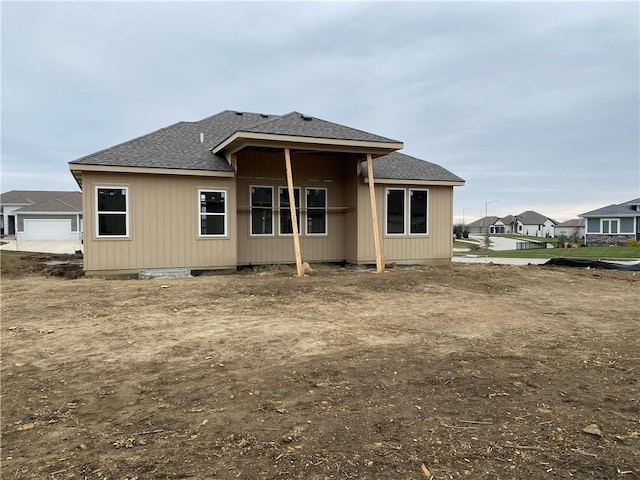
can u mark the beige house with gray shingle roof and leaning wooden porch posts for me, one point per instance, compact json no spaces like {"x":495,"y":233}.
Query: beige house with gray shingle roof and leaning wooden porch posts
{"x":241,"y":188}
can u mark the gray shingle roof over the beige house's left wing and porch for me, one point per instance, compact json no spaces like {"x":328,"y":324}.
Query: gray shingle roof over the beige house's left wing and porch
{"x":178,"y":146}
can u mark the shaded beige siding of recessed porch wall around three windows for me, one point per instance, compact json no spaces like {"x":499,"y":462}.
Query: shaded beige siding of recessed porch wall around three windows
{"x":313,"y":170}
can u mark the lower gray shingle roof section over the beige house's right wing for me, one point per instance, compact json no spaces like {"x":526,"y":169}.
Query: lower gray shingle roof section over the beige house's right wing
{"x":398,"y":166}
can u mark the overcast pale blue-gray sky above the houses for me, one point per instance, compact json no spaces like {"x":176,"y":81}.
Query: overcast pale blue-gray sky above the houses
{"x":535,"y":105}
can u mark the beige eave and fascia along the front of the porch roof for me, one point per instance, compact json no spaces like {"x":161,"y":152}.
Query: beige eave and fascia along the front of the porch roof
{"x":240,"y":140}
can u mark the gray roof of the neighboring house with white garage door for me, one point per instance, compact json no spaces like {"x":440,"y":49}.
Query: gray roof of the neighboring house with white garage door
{"x":43,"y":201}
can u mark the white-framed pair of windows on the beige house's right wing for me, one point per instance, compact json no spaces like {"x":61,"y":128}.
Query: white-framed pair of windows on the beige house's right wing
{"x":399,"y":219}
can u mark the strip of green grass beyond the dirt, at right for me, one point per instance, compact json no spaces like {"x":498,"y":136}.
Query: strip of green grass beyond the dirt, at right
{"x":587,"y":253}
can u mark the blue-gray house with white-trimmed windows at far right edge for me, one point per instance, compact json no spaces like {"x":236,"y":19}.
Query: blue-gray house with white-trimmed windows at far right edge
{"x":614,"y":224}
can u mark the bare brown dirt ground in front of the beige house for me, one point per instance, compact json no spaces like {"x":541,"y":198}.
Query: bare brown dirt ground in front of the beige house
{"x":466,"y":371}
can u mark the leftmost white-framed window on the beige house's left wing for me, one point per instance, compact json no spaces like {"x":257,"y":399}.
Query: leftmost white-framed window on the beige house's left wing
{"x":112,"y":211}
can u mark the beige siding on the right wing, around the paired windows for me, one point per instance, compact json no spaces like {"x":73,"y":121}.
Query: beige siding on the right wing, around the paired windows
{"x":434,"y":248}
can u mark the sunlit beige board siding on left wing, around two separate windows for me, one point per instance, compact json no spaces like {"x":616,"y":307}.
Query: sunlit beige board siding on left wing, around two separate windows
{"x":163,"y":224}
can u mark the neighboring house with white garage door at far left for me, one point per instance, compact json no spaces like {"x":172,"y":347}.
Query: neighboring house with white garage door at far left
{"x":41,"y":215}
